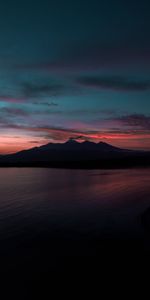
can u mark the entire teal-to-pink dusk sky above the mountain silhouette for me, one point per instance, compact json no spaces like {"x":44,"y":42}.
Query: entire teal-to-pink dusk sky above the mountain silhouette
{"x":74,"y":69}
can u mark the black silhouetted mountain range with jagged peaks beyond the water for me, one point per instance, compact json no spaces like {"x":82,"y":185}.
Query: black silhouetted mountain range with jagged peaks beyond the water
{"x":75,"y":154}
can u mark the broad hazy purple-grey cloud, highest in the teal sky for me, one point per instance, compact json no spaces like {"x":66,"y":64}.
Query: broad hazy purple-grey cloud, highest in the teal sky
{"x":94,"y":55}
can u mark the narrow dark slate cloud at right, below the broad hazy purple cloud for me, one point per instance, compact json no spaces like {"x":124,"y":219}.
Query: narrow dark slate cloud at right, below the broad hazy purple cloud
{"x":113,"y":83}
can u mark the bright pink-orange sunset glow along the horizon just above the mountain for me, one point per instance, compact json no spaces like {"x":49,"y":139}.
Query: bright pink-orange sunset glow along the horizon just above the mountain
{"x":12,"y":144}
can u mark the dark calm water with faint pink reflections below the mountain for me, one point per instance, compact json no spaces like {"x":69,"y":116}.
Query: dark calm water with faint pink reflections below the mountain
{"x":56,"y":222}
